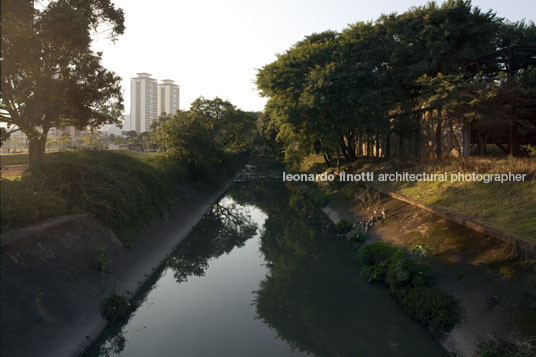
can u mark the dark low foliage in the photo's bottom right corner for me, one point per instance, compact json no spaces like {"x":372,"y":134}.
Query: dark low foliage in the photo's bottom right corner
{"x":494,"y":346}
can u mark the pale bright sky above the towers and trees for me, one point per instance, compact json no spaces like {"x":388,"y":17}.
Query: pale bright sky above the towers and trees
{"x":214,"y":47}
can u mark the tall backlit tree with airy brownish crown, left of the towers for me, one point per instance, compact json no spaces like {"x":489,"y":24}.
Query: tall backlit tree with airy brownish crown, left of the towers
{"x":50,"y":75}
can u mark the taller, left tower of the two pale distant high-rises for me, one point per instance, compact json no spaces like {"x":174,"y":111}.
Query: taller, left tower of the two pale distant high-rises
{"x":143,"y":95}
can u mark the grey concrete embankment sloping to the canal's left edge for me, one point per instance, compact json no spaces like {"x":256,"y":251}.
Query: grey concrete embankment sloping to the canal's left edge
{"x":51,"y":288}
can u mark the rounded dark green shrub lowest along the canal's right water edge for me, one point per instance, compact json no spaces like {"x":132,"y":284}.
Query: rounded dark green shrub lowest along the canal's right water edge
{"x":430,"y":306}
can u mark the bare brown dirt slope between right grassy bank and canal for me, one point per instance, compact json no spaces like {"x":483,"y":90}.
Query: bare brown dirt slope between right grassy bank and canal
{"x":496,"y":296}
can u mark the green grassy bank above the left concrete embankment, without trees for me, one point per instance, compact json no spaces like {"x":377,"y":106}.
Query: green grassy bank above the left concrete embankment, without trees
{"x":123,"y":190}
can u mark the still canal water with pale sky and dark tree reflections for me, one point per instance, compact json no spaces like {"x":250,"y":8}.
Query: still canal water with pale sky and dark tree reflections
{"x":263,"y":274}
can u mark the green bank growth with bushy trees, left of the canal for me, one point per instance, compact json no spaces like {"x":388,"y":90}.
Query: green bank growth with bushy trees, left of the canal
{"x":126,"y":190}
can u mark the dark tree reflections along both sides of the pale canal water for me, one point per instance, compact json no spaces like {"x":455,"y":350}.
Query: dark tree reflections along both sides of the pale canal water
{"x":312,"y":294}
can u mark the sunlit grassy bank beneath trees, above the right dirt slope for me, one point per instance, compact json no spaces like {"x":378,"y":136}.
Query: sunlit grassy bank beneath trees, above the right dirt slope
{"x":509,"y":207}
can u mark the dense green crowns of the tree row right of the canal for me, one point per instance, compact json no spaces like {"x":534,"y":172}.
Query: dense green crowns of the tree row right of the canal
{"x":332,"y":92}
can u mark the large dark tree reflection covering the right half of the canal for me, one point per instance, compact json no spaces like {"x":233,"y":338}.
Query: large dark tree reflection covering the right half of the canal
{"x":313,"y":296}
